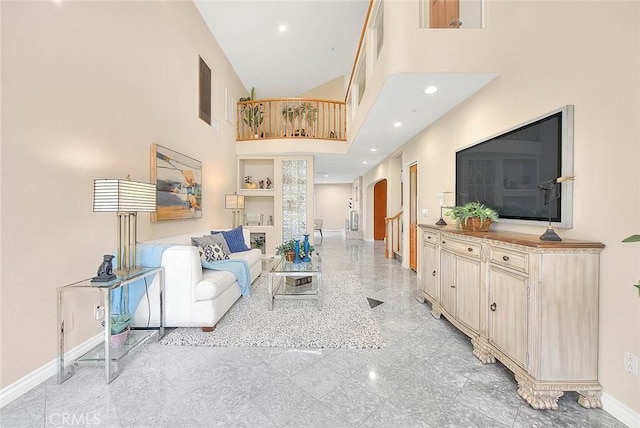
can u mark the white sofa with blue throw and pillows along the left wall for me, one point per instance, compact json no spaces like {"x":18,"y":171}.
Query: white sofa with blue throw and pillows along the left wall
{"x":193,"y":297}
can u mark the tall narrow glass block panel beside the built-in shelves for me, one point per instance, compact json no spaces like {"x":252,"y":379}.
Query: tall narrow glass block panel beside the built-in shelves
{"x":294,"y":199}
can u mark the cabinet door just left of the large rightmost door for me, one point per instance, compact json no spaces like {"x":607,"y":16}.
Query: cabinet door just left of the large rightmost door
{"x":468,"y":282}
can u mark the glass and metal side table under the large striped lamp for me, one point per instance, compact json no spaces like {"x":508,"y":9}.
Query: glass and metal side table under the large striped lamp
{"x":103,"y":352}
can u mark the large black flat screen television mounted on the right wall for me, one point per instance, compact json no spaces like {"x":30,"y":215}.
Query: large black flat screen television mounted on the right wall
{"x":503,"y":172}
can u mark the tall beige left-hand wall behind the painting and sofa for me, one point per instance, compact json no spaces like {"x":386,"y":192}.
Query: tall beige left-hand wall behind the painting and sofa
{"x":87,"y":87}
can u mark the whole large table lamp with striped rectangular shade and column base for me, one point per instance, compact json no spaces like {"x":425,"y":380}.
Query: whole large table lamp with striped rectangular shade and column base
{"x":126,"y":198}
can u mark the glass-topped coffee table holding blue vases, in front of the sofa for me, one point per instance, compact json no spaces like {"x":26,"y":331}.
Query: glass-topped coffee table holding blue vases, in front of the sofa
{"x":288,"y":280}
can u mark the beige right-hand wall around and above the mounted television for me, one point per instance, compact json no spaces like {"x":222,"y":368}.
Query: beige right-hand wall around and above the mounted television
{"x":549,"y":54}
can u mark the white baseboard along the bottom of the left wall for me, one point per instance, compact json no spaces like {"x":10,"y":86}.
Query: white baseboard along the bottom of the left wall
{"x":36,"y":377}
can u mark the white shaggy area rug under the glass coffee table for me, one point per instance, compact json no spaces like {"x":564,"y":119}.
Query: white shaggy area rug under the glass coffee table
{"x":345,"y":320}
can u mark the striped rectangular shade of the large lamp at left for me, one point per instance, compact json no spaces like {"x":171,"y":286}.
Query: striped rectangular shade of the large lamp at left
{"x":114,"y":195}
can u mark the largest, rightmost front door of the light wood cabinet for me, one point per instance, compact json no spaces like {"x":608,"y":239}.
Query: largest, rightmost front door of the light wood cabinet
{"x":508,"y":313}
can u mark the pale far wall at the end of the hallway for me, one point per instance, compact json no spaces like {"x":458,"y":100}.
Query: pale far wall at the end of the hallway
{"x":332,"y":204}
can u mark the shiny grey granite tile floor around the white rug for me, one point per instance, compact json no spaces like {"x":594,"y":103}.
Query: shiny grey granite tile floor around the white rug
{"x":425,"y":377}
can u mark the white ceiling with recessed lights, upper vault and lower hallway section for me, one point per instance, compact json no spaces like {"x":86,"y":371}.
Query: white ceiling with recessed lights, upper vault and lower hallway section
{"x":319,"y":45}
